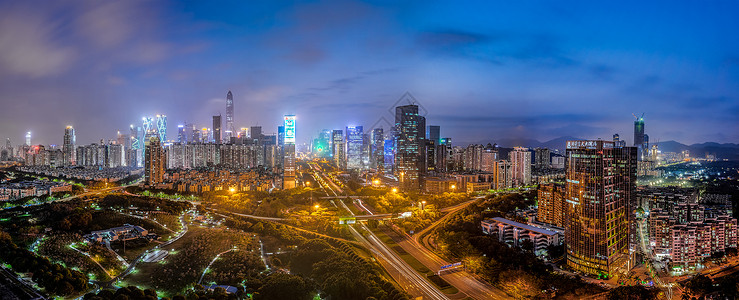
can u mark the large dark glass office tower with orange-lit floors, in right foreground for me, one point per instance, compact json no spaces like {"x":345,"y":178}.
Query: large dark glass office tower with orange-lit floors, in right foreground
{"x":601,"y":182}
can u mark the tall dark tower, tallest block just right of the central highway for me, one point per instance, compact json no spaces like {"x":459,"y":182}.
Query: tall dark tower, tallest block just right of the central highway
{"x":408,"y":140}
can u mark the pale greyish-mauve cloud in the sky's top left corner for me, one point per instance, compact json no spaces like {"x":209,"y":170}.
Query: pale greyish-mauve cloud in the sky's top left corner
{"x":28,"y":44}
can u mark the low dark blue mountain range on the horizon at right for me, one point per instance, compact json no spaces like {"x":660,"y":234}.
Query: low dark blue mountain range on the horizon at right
{"x":727,"y":150}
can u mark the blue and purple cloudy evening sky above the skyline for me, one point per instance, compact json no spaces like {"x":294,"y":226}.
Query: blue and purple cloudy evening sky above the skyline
{"x":485,"y":70}
